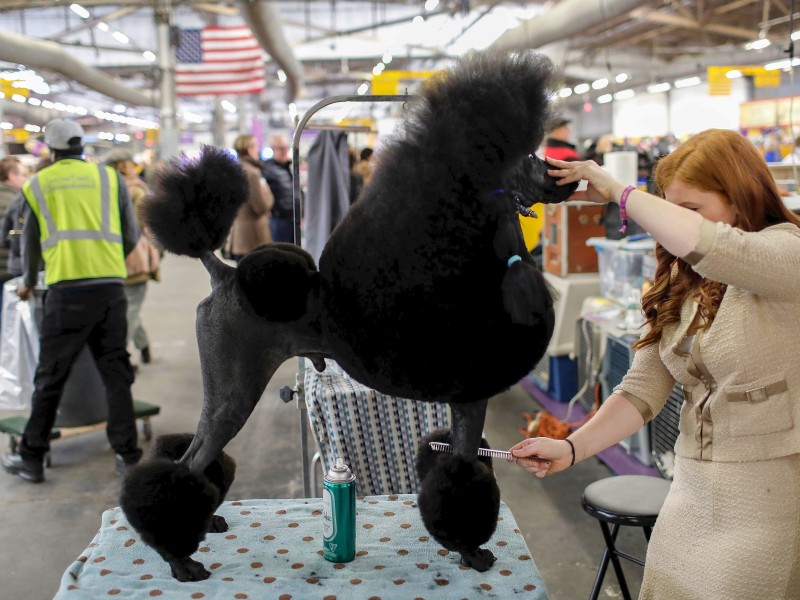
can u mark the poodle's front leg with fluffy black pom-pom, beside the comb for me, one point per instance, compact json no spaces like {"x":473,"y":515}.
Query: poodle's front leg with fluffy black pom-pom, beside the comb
{"x":459,"y":500}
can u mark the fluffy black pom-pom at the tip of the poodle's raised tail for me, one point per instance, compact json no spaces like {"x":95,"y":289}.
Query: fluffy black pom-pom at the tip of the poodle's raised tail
{"x":194,"y":202}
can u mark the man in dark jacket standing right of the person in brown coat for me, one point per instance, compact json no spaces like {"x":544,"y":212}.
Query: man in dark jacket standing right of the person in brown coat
{"x":278,"y":174}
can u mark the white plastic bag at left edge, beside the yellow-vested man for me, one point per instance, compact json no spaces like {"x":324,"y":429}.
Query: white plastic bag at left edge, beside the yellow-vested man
{"x":19,"y":348}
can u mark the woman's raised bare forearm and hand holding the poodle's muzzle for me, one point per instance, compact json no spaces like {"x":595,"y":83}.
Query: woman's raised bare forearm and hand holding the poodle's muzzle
{"x":674,"y":227}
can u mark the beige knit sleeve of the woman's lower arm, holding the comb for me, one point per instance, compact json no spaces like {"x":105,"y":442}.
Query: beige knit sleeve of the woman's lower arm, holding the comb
{"x":648,"y":382}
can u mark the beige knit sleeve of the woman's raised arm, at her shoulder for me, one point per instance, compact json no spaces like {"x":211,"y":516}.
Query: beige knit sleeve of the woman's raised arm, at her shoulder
{"x":763,"y":262}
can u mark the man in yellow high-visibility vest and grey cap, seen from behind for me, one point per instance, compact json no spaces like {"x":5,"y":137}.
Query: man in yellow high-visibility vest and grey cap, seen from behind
{"x":79,"y":219}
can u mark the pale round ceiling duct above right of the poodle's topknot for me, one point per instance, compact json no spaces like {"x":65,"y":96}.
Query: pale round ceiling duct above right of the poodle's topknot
{"x":566,"y":19}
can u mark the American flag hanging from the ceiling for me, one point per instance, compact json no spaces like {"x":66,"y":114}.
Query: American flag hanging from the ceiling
{"x":218,"y":61}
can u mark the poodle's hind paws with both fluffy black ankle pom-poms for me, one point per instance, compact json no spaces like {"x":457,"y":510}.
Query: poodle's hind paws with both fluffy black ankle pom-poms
{"x":184,"y":503}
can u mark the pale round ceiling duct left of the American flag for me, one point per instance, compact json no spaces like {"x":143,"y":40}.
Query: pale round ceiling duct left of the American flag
{"x":49,"y":55}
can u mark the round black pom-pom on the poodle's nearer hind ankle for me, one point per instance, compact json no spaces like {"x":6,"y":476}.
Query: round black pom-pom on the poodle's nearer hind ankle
{"x":170,"y":506}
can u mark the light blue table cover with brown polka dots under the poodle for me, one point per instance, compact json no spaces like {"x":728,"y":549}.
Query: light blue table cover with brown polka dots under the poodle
{"x":273,"y":549}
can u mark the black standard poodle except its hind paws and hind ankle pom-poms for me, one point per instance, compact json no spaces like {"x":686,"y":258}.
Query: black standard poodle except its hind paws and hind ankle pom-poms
{"x":425,"y":290}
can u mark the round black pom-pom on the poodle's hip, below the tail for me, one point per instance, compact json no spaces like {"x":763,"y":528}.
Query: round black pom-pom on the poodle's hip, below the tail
{"x":277,"y":281}
